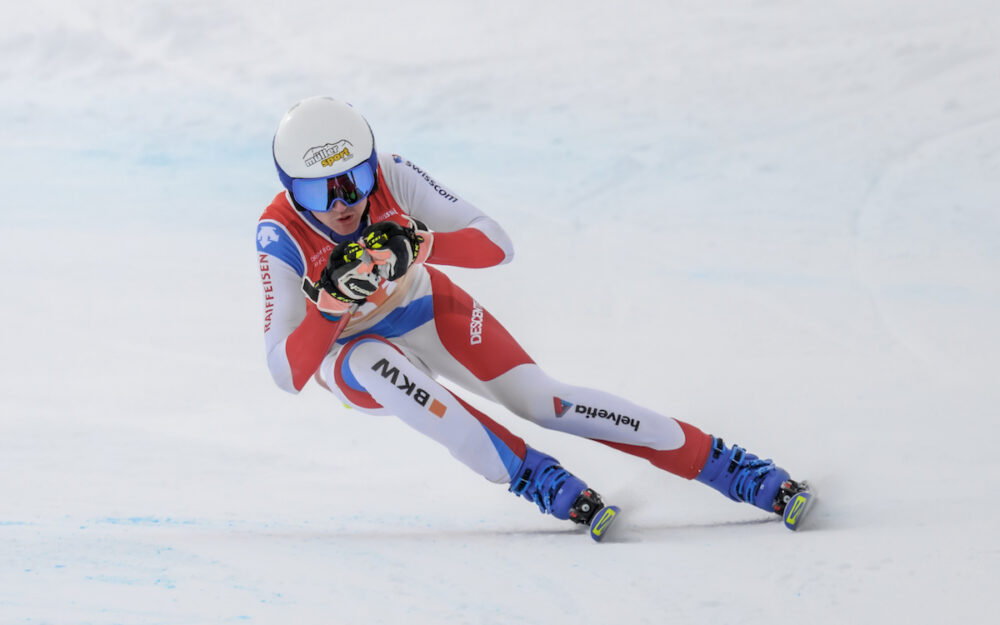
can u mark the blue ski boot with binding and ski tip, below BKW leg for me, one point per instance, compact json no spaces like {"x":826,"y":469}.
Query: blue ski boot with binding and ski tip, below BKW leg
{"x":558,"y":492}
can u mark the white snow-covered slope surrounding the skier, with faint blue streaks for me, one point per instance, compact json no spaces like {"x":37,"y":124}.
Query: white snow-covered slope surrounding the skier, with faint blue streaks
{"x":777,"y":220}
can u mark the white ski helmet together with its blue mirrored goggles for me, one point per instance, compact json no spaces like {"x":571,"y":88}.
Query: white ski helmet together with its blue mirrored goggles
{"x":324,"y":151}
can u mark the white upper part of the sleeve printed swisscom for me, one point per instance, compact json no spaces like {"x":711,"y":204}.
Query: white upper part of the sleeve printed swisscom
{"x":428,"y":201}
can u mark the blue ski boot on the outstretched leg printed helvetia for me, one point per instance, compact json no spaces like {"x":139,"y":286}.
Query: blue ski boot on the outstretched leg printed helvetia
{"x":742,"y":476}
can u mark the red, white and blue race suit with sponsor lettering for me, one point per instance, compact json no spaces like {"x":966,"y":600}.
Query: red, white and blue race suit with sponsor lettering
{"x":422,"y":326}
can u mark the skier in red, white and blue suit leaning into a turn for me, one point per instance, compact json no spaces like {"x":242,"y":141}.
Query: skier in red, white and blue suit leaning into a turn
{"x":352,"y":300}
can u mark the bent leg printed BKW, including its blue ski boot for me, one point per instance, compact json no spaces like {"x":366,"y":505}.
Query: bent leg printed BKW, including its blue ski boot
{"x":373,"y":374}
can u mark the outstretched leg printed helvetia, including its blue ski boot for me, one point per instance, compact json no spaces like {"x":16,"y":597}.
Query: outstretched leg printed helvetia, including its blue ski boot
{"x":477,"y":352}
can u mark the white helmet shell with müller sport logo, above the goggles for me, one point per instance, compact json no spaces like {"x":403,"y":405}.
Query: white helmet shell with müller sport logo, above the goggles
{"x":321,"y":137}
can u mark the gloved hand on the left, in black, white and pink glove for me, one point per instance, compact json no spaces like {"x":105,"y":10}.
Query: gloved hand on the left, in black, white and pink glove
{"x":348,"y":278}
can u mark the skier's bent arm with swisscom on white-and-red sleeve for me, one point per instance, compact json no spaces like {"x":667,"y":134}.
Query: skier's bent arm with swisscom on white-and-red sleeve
{"x":464,"y":236}
